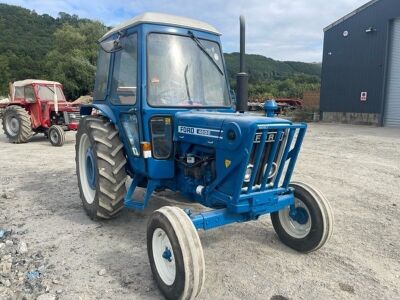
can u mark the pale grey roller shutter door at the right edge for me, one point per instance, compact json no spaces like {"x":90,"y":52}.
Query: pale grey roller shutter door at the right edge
{"x":392,"y":105}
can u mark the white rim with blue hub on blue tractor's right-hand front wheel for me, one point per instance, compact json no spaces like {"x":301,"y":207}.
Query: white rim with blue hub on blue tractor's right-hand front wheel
{"x":296,"y":221}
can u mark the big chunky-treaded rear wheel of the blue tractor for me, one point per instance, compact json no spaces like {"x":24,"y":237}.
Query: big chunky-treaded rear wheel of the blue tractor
{"x":100,"y":167}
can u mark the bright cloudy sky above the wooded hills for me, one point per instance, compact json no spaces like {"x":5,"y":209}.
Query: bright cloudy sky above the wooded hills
{"x":280,"y":29}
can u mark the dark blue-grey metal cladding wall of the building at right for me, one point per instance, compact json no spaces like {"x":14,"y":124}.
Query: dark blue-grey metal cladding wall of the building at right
{"x":357,"y":62}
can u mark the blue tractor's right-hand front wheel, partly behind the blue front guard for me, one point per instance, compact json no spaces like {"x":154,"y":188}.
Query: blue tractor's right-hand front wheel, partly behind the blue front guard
{"x":307,"y":225}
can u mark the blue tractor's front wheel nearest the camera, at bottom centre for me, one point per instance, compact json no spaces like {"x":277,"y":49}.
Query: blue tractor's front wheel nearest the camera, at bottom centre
{"x":175,"y":253}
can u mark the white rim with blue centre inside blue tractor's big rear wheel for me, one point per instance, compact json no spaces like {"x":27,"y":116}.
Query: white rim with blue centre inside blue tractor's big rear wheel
{"x":88,"y":182}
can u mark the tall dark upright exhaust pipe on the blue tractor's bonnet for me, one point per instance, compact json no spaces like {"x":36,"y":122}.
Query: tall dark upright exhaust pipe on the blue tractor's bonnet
{"x":242,"y":77}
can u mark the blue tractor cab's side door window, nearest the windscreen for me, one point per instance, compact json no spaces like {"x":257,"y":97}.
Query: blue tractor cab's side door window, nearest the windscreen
{"x":124,"y":81}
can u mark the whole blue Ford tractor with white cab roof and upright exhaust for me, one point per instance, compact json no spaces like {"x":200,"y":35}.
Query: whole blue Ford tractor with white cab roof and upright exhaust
{"x":163,"y":115}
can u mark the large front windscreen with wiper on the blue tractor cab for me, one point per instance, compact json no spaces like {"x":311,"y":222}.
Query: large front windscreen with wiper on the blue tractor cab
{"x":181,"y":74}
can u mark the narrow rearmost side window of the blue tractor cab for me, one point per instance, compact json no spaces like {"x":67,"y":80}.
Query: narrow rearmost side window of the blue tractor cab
{"x":103,"y":66}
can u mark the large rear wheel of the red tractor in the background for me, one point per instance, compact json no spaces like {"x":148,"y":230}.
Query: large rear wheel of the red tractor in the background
{"x":17,"y":124}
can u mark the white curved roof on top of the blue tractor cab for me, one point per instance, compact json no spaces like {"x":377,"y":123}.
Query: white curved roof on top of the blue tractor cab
{"x":158,"y":18}
